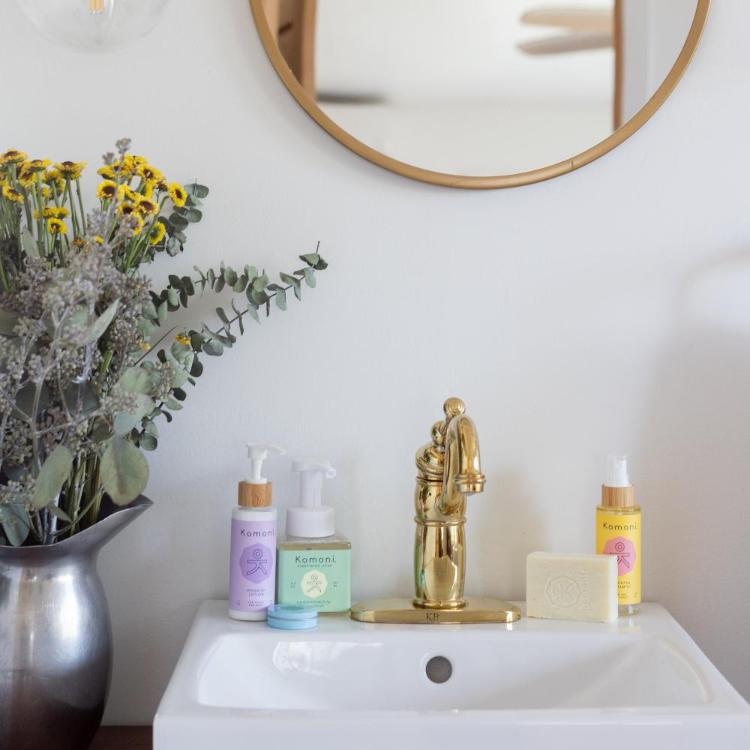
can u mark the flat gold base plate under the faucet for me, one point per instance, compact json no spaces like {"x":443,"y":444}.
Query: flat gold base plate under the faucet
{"x":403,"y":612}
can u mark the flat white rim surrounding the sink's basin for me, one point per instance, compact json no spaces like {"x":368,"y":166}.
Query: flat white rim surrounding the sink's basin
{"x":181,"y":700}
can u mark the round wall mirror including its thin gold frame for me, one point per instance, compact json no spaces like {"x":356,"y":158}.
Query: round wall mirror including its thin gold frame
{"x":480,"y":94}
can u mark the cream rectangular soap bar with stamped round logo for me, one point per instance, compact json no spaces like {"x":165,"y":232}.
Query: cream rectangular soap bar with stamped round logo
{"x":571,"y":587}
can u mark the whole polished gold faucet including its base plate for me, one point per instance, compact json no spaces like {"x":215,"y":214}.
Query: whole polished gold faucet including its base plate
{"x":448,"y":471}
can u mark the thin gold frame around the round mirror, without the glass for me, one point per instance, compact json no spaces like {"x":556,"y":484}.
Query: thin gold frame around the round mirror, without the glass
{"x":476,"y":182}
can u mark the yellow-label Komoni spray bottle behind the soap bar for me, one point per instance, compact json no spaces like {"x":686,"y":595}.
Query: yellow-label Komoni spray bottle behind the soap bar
{"x":618,"y":532}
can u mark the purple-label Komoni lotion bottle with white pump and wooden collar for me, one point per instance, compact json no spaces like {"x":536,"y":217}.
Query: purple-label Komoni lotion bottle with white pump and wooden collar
{"x":252,"y":554}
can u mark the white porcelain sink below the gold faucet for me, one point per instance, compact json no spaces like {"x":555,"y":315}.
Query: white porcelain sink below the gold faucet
{"x":535,"y":684}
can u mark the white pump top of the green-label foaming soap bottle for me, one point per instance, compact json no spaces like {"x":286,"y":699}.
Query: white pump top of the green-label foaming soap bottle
{"x":310,"y":518}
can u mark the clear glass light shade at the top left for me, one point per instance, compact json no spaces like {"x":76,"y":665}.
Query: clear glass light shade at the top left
{"x":93,"y":25}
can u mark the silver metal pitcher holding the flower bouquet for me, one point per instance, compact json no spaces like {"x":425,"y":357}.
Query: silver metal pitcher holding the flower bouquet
{"x":56,"y":639}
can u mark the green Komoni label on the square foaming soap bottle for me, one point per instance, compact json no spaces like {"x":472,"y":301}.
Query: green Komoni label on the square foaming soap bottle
{"x":315,"y":577}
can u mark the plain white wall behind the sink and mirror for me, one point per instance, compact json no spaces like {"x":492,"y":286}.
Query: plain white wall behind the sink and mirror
{"x":607,"y":309}
